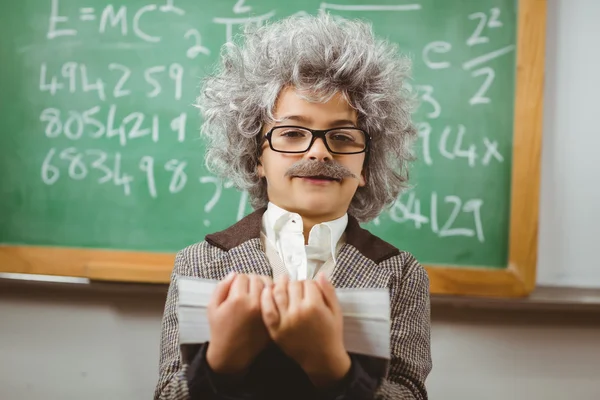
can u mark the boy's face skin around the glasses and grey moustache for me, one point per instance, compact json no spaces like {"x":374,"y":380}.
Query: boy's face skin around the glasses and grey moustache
{"x":317,"y":199}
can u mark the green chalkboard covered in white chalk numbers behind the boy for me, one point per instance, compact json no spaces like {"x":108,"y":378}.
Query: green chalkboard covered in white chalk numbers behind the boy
{"x":99,"y":144}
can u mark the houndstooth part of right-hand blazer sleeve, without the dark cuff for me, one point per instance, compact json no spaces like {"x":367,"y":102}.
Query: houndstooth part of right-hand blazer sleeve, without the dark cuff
{"x":410,"y":362}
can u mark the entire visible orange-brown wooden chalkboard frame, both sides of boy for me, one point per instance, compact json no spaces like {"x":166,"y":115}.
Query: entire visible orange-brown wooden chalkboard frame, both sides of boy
{"x":517,"y":280}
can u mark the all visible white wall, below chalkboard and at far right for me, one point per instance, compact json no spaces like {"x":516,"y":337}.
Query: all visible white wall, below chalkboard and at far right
{"x":62,"y":345}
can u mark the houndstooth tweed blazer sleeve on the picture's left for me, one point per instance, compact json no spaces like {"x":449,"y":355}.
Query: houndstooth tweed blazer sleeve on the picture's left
{"x":183,"y":371}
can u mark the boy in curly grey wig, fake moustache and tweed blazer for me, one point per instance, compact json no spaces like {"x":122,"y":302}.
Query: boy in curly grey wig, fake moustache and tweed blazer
{"x":309,"y":116}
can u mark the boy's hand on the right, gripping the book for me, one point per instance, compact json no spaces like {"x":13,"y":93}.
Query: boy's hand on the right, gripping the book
{"x":305,"y":319}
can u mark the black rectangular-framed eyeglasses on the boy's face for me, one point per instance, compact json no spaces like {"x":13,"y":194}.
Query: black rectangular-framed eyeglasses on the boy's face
{"x":297,"y":139}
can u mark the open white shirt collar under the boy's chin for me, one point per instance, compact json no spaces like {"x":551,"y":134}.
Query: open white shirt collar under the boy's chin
{"x":276,"y":217}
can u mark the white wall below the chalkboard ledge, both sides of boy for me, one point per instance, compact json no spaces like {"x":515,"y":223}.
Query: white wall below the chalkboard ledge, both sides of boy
{"x":60,"y":345}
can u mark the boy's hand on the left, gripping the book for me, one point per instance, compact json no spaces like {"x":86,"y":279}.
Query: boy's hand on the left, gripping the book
{"x":237,"y":331}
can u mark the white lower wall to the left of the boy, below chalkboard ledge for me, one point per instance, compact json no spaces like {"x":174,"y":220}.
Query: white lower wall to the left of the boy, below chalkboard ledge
{"x":61,"y":345}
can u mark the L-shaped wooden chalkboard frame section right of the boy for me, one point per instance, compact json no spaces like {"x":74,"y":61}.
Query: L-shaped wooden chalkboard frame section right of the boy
{"x":519,"y":278}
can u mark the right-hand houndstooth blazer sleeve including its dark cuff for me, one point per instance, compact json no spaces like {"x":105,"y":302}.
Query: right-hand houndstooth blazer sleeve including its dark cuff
{"x":410,"y":362}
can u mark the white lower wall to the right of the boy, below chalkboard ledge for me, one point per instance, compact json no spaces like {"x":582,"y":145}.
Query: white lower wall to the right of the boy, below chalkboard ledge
{"x":493,"y":355}
